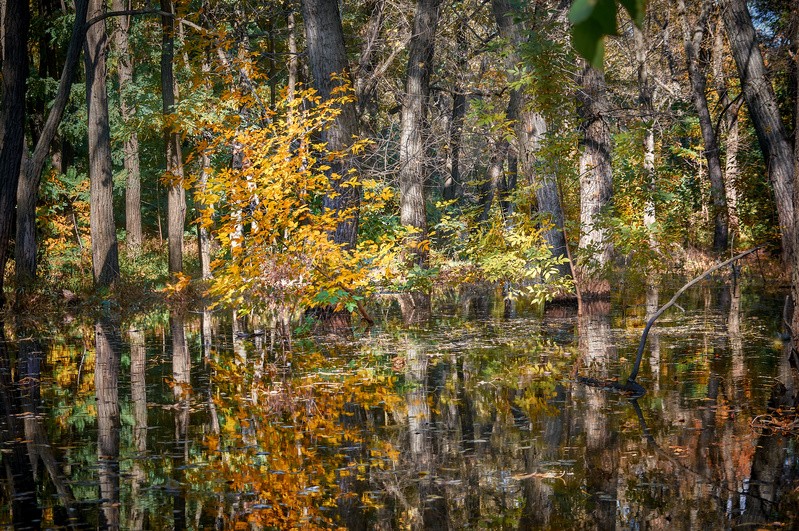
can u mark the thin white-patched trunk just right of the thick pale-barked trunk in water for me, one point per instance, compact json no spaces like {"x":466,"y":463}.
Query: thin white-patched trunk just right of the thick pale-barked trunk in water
{"x":645,"y":101}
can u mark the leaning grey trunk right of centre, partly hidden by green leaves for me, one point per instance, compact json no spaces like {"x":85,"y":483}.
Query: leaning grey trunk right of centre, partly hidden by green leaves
{"x":531,"y":128}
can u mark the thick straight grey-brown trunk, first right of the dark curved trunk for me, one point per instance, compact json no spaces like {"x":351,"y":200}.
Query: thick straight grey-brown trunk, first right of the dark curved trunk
{"x":105,"y":252}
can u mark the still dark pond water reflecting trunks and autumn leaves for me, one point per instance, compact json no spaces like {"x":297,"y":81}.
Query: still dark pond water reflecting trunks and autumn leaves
{"x":472,"y":419}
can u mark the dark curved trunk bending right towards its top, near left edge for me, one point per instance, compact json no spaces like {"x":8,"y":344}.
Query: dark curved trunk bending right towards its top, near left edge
{"x":25,"y":250}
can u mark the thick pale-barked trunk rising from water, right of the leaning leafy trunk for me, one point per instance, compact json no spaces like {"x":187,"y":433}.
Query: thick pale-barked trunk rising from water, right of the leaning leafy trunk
{"x":596,"y":185}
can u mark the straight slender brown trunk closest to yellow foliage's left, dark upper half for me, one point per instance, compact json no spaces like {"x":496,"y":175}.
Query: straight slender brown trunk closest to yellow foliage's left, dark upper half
{"x":176,"y":194}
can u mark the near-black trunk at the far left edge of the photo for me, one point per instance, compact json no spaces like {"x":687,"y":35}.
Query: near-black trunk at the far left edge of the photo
{"x":15,"y":71}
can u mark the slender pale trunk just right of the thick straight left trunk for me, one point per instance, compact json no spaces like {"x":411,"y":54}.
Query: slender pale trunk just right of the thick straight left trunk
{"x":130,"y":147}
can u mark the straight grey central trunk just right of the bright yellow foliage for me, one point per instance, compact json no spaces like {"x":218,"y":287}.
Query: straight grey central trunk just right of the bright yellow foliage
{"x":412,"y":173}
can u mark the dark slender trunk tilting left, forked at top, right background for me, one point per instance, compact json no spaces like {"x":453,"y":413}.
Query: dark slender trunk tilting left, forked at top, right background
{"x":692,"y":40}
